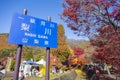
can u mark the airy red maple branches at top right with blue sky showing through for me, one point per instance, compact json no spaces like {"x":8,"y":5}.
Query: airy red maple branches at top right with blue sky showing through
{"x":84,"y":17}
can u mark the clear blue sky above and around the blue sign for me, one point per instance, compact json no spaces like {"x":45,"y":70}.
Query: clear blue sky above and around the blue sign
{"x":36,"y":8}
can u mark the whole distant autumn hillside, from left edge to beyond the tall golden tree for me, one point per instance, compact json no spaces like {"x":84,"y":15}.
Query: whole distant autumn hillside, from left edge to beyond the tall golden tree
{"x":36,"y":51}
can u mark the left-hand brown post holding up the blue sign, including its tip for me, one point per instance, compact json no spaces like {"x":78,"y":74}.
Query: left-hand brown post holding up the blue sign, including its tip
{"x":18,"y":56}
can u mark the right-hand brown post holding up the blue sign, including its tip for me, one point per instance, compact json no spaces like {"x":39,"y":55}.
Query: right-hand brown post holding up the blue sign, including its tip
{"x":48,"y":58}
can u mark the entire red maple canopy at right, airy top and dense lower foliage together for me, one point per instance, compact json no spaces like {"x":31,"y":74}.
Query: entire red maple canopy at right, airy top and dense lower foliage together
{"x":100,"y":21}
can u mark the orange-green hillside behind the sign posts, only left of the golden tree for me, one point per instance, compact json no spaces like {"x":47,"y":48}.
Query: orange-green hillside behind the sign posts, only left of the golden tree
{"x":10,"y":49}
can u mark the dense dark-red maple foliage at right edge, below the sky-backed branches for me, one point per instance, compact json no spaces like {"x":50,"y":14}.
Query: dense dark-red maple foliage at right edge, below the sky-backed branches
{"x":107,"y":44}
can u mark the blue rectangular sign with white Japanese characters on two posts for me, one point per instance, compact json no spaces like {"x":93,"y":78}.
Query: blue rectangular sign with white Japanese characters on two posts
{"x":28,"y":30}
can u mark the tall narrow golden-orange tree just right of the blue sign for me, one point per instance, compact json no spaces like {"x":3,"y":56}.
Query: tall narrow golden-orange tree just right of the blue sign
{"x":62,"y":52}
